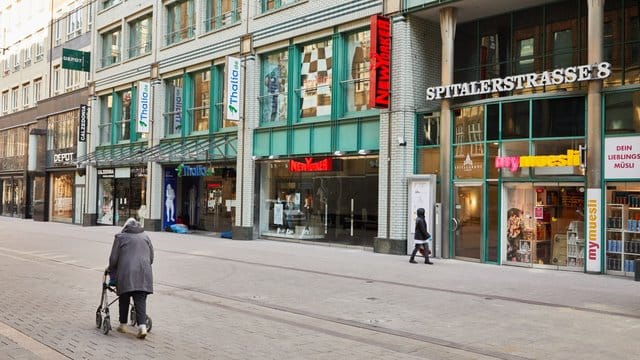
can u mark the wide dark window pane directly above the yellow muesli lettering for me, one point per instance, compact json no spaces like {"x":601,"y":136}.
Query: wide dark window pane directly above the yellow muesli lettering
{"x":558,"y":117}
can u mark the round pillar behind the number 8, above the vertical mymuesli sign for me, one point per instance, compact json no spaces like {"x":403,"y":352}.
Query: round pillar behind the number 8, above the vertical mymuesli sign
{"x":594,"y":102}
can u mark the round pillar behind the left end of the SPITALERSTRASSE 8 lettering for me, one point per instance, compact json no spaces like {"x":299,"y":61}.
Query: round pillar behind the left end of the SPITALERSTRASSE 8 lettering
{"x":448,"y":19}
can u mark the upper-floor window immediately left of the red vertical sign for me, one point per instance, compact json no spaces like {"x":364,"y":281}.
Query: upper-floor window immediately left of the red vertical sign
{"x":356,"y":87}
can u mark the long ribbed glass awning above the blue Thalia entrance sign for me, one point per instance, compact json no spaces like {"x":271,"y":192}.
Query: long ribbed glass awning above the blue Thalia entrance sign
{"x":206,"y":148}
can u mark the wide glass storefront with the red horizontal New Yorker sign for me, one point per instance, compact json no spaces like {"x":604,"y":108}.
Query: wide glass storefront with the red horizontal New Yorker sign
{"x":326,"y":199}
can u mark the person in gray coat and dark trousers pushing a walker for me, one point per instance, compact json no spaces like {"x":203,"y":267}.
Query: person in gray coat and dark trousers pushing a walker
{"x":130,"y":264}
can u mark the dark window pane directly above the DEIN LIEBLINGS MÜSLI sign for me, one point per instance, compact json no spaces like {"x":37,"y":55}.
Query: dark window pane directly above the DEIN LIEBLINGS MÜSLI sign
{"x":621,"y":113}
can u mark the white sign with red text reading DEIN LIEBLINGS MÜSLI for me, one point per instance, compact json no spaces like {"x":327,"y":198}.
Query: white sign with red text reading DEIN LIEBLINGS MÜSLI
{"x":621,"y":157}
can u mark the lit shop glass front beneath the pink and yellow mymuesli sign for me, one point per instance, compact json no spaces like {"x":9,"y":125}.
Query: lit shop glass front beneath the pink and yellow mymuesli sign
{"x":544,"y":224}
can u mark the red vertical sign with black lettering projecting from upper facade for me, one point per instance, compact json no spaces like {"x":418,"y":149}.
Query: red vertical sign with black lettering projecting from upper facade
{"x":380,"y":59}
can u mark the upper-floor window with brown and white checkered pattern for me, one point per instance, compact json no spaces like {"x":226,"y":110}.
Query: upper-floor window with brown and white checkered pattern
{"x":315,"y":79}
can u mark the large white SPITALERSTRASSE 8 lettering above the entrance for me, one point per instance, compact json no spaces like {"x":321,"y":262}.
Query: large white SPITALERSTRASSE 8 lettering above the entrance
{"x":523,"y":81}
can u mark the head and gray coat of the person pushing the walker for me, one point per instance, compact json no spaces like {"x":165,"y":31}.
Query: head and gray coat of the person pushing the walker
{"x":131,"y":258}
